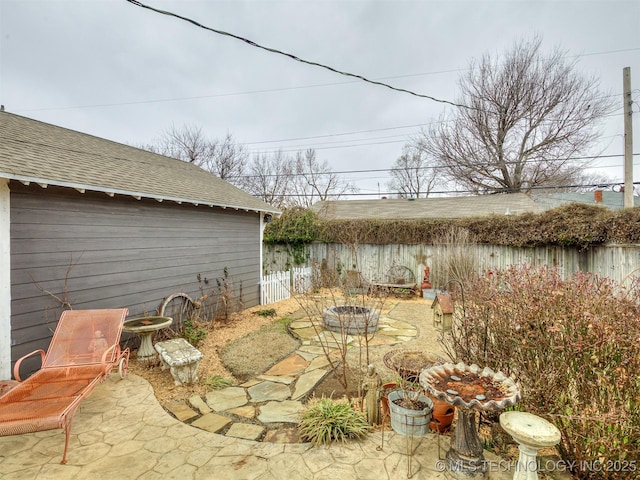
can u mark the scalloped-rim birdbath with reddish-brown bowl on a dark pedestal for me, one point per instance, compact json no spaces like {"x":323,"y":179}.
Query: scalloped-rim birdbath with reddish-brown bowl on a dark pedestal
{"x":471,"y":389}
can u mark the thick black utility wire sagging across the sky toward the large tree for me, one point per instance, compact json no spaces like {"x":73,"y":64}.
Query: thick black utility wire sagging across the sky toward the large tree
{"x":296,"y":58}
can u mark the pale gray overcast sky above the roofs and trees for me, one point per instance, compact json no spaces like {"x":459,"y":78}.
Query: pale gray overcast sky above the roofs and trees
{"x":117,"y":71}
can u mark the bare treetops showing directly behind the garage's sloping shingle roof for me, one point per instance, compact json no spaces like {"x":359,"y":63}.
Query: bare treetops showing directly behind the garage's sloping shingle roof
{"x":225,"y":158}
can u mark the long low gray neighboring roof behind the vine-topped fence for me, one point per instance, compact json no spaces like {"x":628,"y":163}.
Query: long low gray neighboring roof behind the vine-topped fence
{"x":434,"y":207}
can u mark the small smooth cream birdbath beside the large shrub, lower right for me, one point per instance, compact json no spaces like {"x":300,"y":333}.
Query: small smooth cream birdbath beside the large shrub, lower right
{"x":532,"y":433}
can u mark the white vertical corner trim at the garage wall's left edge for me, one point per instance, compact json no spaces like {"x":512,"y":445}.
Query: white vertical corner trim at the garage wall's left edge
{"x":5,"y":281}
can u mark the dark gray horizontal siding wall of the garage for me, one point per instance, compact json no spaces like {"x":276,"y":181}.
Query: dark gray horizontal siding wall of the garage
{"x":103,"y":252}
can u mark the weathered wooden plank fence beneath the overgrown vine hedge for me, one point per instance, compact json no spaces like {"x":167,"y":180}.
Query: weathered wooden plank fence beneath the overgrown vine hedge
{"x":617,"y":262}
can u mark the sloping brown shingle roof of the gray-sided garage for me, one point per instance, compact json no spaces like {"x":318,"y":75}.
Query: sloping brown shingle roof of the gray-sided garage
{"x":37,"y":152}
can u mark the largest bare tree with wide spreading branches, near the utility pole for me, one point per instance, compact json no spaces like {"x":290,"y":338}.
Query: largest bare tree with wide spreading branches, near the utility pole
{"x":528,"y":116}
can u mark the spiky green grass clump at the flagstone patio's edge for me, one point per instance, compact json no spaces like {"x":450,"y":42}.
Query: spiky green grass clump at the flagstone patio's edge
{"x":327,"y":420}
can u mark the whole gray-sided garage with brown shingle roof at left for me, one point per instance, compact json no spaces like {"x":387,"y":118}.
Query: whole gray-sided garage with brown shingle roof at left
{"x":100,"y":224}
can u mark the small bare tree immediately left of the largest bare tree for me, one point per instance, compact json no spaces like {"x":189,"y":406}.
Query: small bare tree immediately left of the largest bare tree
{"x":411,"y":175}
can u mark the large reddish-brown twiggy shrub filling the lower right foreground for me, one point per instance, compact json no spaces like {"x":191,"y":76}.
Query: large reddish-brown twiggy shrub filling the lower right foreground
{"x":573,"y":346}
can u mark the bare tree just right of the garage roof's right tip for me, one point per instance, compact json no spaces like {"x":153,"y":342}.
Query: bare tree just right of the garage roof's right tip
{"x":314,"y":181}
